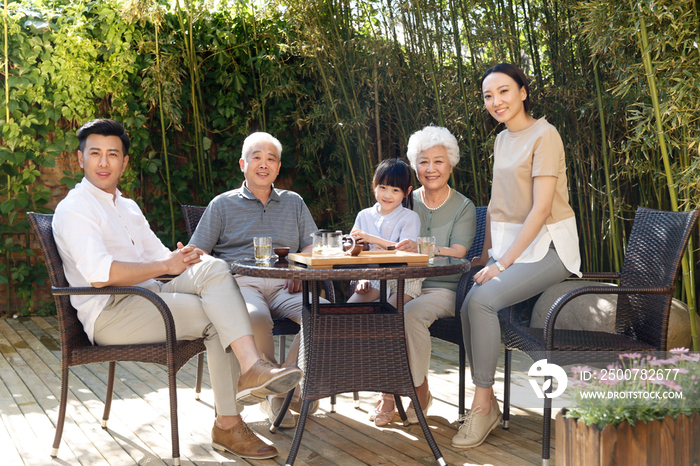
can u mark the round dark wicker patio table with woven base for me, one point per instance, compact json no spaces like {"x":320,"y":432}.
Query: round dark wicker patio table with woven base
{"x":350,"y":347}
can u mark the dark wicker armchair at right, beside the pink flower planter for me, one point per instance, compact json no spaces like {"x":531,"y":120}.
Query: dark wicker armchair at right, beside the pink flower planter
{"x":647,"y":283}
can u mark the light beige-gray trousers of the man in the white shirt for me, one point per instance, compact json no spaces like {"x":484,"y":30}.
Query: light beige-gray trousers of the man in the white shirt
{"x":205,"y":302}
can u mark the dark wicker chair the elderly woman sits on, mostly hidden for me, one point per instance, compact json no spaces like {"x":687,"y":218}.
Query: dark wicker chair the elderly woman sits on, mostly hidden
{"x":450,"y":328}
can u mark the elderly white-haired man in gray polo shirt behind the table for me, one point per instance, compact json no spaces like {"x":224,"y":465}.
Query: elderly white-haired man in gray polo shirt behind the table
{"x":257,"y":208}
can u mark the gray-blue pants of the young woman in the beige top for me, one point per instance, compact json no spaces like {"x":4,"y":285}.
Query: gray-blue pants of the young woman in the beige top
{"x":480,"y":326}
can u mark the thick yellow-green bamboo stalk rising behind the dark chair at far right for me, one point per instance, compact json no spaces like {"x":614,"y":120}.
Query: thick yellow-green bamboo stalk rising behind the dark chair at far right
{"x":687,"y":259}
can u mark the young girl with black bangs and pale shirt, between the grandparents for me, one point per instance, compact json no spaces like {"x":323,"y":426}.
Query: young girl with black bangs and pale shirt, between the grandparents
{"x":386,"y":223}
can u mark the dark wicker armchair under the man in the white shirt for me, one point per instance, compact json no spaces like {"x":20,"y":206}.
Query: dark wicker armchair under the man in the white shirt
{"x":77,"y":350}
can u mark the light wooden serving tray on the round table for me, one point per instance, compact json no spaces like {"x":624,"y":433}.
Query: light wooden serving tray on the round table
{"x":366,"y":258}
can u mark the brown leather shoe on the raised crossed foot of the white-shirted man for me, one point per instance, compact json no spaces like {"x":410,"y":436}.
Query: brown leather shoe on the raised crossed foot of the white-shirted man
{"x":265,"y":378}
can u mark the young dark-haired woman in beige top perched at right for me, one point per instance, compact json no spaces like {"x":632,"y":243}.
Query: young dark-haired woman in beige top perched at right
{"x":531,"y":240}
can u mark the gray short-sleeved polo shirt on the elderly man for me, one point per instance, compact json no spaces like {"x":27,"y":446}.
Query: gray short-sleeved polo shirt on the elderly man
{"x":234,"y":218}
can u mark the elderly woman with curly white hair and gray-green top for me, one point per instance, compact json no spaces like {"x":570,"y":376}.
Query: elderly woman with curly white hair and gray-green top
{"x":451,"y":219}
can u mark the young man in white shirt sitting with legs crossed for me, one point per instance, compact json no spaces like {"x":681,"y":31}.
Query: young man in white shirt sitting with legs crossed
{"x":104,"y":240}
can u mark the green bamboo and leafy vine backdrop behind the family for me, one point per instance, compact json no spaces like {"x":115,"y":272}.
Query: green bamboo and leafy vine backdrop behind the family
{"x":343,"y":85}
